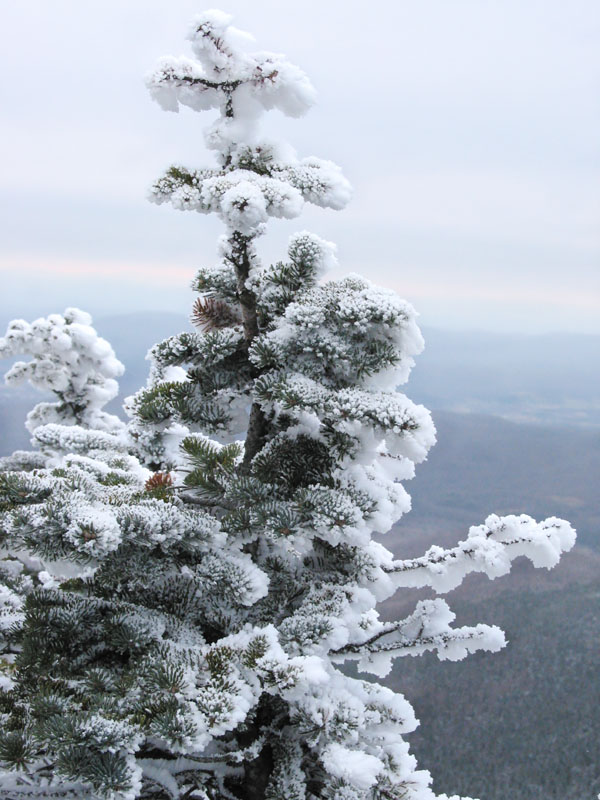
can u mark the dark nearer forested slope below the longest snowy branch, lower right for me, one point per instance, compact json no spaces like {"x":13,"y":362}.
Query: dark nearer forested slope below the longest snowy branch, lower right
{"x":523,"y":723}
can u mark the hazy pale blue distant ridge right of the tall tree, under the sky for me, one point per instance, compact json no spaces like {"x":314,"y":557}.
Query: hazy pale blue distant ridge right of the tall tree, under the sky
{"x":550,"y":379}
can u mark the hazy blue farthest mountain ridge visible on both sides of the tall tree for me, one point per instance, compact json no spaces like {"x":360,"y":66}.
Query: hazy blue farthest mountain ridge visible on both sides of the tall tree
{"x":549,"y":379}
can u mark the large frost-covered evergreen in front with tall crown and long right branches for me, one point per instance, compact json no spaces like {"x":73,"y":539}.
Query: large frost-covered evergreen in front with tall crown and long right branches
{"x":180,"y":634}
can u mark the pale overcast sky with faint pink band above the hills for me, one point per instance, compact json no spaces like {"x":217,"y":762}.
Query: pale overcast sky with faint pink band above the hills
{"x":469,"y":129}
